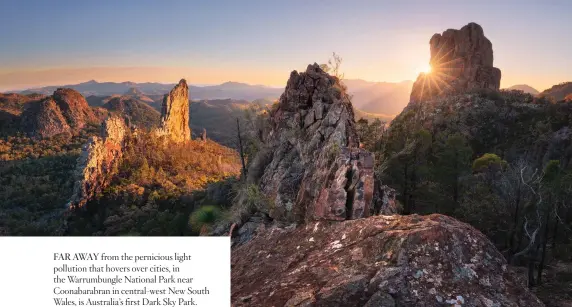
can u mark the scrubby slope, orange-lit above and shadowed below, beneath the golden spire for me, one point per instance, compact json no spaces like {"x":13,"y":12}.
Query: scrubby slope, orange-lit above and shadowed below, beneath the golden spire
{"x":158,"y":187}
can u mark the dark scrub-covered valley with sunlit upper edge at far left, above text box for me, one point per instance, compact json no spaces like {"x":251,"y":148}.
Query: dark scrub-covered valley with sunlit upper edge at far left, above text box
{"x":36,"y":181}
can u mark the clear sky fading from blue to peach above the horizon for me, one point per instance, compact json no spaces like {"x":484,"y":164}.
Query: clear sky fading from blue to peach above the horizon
{"x":261,"y":41}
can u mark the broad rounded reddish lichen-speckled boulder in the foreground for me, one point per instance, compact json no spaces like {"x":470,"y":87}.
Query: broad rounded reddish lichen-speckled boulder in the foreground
{"x":410,"y":260}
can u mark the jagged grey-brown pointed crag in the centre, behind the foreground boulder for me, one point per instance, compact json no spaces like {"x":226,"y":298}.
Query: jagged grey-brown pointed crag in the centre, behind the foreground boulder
{"x":311,"y":165}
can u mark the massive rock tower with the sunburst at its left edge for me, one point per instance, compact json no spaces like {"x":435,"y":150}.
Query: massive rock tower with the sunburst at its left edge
{"x":461,"y":60}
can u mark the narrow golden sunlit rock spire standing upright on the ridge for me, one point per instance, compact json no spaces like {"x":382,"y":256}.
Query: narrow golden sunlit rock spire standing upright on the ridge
{"x":175,"y":114}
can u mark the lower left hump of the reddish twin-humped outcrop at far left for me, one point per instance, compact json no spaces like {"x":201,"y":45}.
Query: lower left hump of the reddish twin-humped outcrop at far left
{"x":44,"y":119}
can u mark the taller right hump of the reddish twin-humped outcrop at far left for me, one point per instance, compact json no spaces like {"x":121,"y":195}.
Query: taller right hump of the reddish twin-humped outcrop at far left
{"x":74,"y":107}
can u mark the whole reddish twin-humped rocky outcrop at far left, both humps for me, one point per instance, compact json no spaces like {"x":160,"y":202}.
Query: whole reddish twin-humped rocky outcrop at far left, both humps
{"x":65,"y":112}
